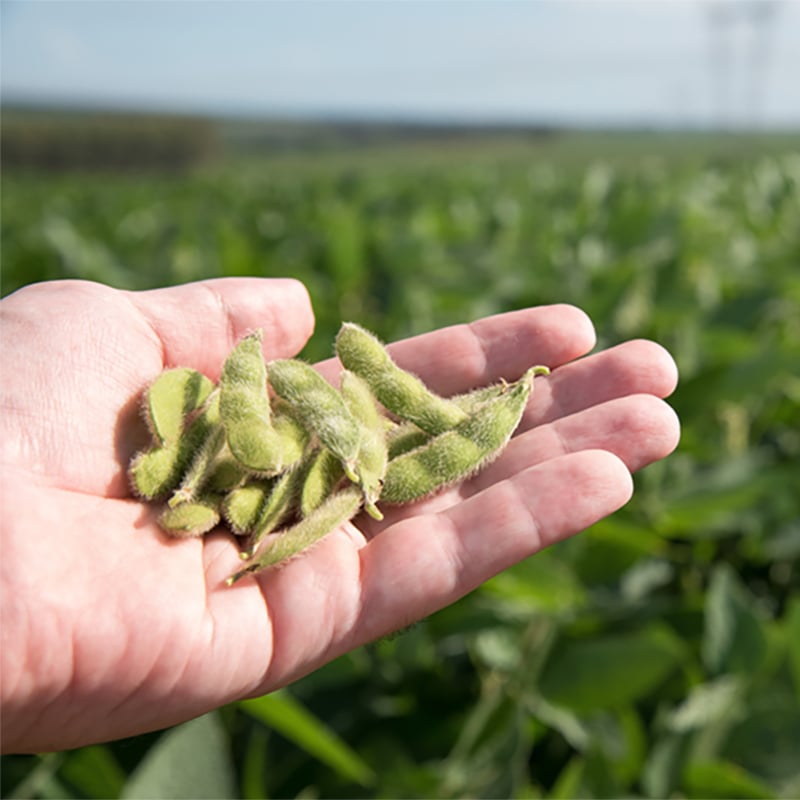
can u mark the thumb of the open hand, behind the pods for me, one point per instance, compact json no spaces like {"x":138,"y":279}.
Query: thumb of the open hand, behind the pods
{"x":199,"y":323}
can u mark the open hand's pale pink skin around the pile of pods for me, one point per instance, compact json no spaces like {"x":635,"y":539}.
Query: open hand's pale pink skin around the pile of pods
{"x":110,"y":628}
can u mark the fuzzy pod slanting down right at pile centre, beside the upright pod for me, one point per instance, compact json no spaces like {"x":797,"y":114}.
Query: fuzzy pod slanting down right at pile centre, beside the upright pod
{"x":321,"y":408}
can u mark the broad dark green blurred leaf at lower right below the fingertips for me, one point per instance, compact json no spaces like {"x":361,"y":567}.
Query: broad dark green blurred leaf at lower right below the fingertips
{"x":608,"y":671}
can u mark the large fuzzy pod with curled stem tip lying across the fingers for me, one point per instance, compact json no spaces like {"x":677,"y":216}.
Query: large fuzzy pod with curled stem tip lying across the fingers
{"x":462,"y":451}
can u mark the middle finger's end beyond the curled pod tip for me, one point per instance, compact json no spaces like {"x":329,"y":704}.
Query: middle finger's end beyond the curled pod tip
{"x":635,"y":367}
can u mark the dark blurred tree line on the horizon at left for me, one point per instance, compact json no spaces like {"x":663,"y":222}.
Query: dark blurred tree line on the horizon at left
{"x":57,"y":141}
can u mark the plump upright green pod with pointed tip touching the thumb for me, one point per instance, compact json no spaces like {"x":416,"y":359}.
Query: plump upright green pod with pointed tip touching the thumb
{"x":245,"y":408}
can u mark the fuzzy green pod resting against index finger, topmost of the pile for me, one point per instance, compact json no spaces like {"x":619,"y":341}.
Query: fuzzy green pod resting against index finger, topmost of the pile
{"x":399,"y":391}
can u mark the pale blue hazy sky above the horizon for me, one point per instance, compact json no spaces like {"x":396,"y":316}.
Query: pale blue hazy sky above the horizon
{"x":575,"y":62}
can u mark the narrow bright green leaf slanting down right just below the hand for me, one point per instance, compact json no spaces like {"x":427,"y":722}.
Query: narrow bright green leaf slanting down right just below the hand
{"x":286,"y":715}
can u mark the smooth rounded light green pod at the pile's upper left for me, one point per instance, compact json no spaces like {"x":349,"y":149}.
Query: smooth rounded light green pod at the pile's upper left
{"x":171,"y":398}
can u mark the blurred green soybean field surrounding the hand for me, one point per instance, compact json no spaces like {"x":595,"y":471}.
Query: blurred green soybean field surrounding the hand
{"x":655,"y":655}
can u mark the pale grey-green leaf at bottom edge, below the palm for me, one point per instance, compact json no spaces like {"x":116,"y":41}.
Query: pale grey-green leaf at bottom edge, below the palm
{"x":190,"y":761}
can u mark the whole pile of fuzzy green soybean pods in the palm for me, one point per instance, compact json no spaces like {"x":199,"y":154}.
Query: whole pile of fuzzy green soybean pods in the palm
{"x":304,"y":459}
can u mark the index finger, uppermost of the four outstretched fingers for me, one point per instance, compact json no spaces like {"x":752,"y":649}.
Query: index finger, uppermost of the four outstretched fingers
{"x":462,"y":357}
